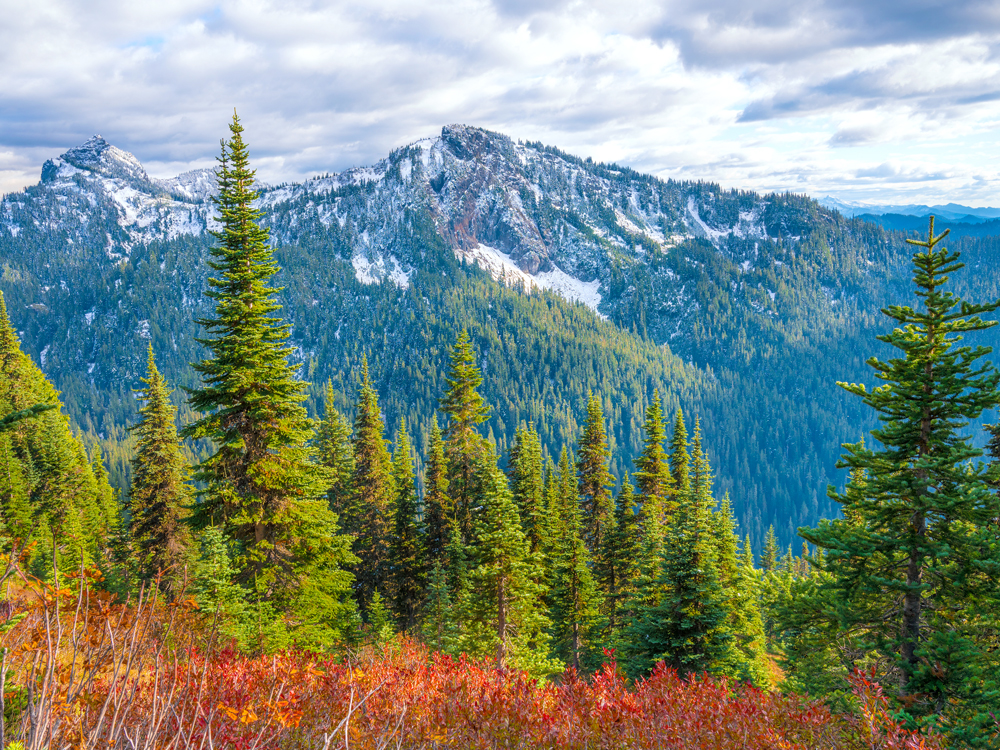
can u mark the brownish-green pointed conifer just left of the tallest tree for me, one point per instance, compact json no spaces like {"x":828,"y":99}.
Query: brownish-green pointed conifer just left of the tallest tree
{"x":159,"y":495}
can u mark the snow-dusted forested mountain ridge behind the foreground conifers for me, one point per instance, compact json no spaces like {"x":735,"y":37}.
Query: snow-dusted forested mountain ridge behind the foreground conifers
{"x":743,"y":309}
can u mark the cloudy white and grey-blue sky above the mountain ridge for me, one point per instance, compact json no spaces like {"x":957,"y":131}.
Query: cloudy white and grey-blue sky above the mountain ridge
{"x":864,"y":100}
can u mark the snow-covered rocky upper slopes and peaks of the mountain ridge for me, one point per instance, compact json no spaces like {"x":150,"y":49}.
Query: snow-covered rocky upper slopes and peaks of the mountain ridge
{"x":528,"y":214}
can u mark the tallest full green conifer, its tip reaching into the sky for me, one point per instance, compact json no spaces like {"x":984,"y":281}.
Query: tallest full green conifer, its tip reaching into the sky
{"x":260,"y":482}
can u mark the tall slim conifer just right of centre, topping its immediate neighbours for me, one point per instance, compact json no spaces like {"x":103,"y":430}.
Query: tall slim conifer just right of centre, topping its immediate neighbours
{"x":593,"y":454}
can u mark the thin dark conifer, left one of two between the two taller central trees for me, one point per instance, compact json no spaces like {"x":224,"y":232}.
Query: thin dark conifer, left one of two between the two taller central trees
{"x":408,"y":557}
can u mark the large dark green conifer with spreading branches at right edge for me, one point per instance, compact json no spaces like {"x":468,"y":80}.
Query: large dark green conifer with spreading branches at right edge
{"x":915,"y":559}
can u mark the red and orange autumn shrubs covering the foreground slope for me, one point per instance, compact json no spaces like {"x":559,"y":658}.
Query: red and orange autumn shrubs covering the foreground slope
{"x":146,"y":677}
